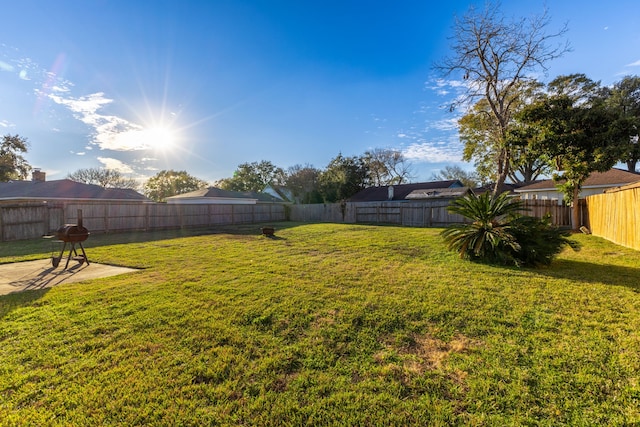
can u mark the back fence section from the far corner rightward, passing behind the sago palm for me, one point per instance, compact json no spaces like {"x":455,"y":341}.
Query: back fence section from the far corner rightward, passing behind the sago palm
{"x":431,"y":213}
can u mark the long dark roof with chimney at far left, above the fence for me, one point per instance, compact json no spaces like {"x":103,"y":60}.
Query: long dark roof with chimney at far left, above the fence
{"x":64,"y":189}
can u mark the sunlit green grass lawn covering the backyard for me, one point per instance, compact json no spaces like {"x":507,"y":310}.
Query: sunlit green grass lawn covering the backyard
{"x":322,"y":325}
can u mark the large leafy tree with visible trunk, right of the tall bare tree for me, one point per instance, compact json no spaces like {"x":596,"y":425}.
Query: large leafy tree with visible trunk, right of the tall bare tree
{"x":574,"y":130}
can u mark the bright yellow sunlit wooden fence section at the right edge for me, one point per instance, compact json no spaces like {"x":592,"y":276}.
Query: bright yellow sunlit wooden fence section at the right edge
{"x":615,"y":215}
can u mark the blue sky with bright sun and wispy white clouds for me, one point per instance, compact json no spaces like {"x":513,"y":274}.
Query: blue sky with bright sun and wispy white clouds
{"x":203,"y":86}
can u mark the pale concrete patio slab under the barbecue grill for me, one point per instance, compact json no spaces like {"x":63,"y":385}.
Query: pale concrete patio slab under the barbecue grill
{"x":40,"y":274}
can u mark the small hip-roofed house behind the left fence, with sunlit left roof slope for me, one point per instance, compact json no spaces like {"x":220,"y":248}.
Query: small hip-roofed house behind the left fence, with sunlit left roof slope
{"x":213,"y":195}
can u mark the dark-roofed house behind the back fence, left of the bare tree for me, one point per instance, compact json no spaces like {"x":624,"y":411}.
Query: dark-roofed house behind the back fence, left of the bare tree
{"x":406,"y":192}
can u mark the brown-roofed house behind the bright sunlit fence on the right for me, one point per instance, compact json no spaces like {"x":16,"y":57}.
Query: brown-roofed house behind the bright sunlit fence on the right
{"x":598,"y":182}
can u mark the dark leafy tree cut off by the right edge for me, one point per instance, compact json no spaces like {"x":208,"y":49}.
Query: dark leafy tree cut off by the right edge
{"x":624,"y":99}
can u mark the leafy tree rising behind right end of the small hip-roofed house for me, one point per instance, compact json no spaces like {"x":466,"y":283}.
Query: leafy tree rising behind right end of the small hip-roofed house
{"x":253,"y":176}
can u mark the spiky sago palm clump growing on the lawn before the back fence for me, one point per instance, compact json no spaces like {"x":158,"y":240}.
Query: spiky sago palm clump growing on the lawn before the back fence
{"x":497,"y":233}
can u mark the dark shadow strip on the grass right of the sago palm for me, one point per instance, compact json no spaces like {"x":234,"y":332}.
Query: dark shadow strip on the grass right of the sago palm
{"x":614,"y":275}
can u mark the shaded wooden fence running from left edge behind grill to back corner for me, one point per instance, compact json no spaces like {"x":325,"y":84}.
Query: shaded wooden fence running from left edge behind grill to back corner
{"x":30,"y":220}
